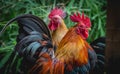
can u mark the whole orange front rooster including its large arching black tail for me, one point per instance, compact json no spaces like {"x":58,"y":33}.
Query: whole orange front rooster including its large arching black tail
{"x":36,"y":50}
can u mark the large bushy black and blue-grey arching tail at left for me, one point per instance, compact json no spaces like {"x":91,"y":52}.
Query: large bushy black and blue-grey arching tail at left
{"x":33,"y":38}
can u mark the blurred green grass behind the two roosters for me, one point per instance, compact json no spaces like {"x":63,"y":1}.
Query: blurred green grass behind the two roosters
{"x":95,"y":9}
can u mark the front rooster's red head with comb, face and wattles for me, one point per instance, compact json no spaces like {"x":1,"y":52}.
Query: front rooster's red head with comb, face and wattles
{"x":83,"y":24}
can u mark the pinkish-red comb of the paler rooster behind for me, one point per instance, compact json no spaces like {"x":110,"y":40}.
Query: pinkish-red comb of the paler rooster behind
{"x":57,"y":11}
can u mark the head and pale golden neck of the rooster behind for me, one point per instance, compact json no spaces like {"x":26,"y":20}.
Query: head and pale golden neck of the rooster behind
{"x":57,"y":25}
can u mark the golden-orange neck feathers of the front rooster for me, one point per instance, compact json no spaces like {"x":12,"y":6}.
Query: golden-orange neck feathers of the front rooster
{"x":73,"y":49}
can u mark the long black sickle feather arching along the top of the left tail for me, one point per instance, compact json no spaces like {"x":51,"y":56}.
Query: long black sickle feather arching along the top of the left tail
{"x":34,"y":19}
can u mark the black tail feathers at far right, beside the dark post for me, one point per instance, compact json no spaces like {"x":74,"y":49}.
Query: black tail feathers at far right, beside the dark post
{"x":99,"y":46}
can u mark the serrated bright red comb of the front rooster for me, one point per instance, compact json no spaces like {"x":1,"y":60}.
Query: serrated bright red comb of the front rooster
{"x":78,"y":18}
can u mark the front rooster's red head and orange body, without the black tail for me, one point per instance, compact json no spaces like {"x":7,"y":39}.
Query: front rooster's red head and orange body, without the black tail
{"x":73,"y":55}
